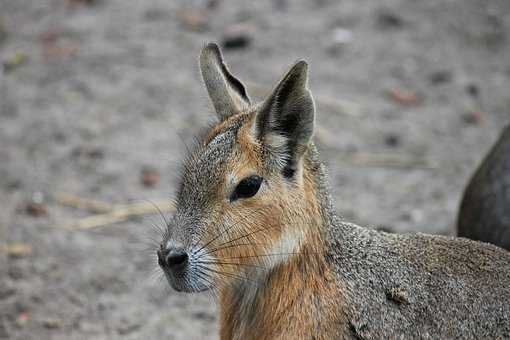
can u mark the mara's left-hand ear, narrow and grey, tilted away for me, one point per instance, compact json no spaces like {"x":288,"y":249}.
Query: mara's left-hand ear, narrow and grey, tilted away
{"x":227,"y":93}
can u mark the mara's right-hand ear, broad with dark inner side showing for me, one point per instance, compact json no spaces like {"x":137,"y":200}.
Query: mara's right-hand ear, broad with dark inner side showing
{"x":285,"y":121}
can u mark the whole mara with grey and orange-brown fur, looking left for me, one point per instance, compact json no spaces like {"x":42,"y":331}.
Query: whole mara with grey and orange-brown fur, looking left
{"x":284,"y":266}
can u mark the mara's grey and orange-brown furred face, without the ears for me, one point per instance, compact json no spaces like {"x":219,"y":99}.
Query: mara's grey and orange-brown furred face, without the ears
{"x":232,"y":210}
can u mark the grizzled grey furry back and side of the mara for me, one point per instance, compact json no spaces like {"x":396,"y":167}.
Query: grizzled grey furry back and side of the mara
{"x":416,"y":286}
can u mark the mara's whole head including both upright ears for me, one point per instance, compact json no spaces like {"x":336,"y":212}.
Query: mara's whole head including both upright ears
{"x":246,"y":195}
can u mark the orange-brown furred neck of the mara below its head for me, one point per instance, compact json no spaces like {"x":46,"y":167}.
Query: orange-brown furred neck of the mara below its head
{"x":292,"y":299}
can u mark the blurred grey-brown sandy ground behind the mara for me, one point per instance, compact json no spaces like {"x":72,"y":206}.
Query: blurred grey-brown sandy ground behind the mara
{"x":98,"y":99}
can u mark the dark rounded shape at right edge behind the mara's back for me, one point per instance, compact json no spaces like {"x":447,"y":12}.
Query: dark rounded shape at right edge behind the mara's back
{"x":484,"y":213}
